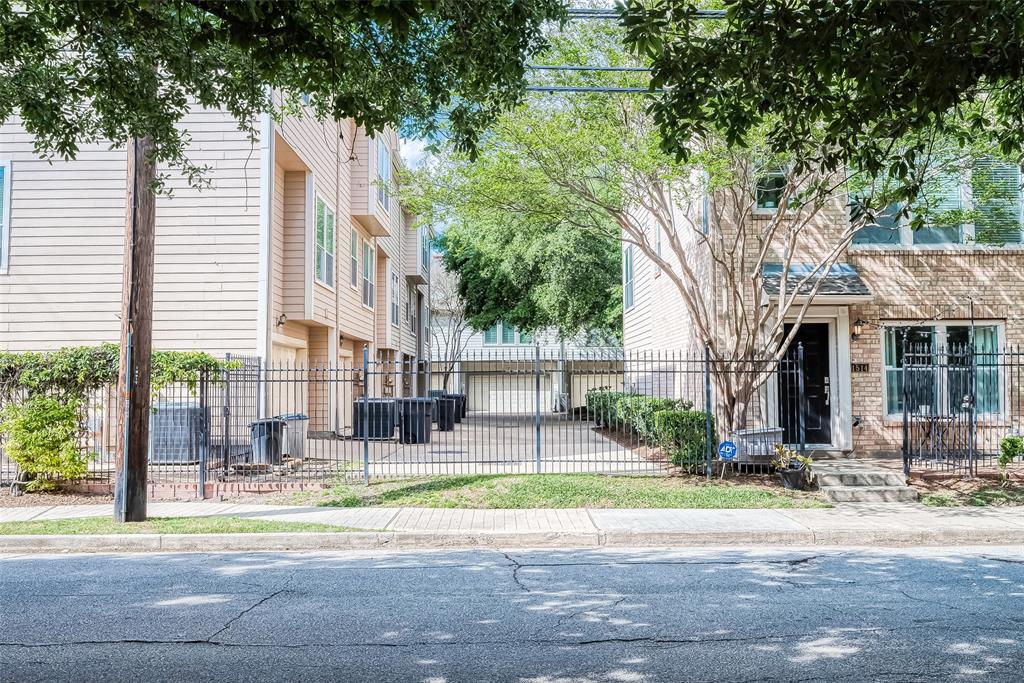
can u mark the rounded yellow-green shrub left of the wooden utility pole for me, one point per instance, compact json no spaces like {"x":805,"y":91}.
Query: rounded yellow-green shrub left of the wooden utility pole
{"x":44,"y":440}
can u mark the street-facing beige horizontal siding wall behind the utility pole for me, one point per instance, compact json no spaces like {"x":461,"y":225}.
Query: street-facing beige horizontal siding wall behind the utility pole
{"x":64,"y":284}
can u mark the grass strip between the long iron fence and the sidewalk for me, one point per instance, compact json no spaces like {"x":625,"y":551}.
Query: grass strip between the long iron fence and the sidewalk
{"x":562,"y":491}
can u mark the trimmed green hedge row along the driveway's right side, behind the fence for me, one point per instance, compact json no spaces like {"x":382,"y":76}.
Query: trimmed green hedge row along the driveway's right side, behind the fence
{"x":672,"y":425}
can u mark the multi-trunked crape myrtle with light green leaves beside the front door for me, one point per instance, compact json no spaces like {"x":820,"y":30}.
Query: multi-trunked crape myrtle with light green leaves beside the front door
{"x":596,"y":163}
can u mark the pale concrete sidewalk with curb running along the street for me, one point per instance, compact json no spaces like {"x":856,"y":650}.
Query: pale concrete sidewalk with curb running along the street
{"x":885,"y":525}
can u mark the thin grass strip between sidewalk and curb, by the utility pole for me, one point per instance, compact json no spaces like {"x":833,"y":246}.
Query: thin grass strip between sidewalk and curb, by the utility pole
{"x":105,"y":526}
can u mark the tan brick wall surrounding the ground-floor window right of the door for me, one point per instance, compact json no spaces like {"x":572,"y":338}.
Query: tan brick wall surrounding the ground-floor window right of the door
{"x":913,"y":285}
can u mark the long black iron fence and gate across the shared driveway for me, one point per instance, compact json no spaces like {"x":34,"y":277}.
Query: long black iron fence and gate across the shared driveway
{"x":522,"y":410}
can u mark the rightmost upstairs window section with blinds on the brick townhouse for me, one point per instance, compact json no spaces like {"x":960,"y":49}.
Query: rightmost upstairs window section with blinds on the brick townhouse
{"x":997,"y":190}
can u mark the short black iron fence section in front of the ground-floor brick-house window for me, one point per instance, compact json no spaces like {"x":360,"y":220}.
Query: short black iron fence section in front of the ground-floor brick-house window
{"x":963,"y":405}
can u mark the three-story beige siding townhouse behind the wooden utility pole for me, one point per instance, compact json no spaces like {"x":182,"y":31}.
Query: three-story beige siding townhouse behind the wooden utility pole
{"x":298,"y":252}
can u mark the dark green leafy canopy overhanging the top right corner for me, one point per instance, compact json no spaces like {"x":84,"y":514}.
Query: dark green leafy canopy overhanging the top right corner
{"x":836,"y":83}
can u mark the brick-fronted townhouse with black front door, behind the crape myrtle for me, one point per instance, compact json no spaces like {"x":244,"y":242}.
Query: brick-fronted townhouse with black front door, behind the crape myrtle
{"x":892,"y":281}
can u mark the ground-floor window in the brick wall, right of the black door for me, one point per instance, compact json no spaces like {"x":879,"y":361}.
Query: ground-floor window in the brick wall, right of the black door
{"x":938,"y":387}
